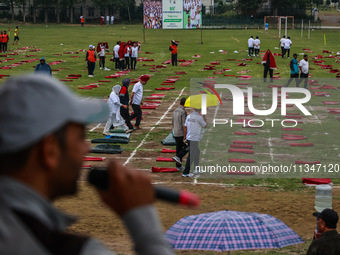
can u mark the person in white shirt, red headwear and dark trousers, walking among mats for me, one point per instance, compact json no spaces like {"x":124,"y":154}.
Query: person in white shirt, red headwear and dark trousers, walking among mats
{"x":136,"y":100}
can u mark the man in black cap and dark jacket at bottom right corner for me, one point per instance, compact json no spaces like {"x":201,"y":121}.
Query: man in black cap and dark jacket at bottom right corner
{"x":329,"y":241}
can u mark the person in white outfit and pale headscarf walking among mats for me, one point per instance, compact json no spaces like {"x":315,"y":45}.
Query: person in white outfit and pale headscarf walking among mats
{"x":115,"y":118}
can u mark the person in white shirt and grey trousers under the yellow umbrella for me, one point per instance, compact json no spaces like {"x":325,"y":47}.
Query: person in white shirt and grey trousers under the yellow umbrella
{"x":193,"y":134}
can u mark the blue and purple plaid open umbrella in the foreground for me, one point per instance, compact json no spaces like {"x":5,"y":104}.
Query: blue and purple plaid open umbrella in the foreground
{"x":230,"y":230}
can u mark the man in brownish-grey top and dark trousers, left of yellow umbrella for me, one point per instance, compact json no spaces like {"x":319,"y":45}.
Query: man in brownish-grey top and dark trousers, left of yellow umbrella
{"x":178,"y":120}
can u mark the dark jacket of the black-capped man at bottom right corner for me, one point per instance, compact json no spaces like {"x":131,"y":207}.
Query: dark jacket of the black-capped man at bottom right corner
{"x":327,"y":244}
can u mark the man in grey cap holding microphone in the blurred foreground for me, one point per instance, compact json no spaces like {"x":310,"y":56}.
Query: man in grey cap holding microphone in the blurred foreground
{"x":42,"y":147}
